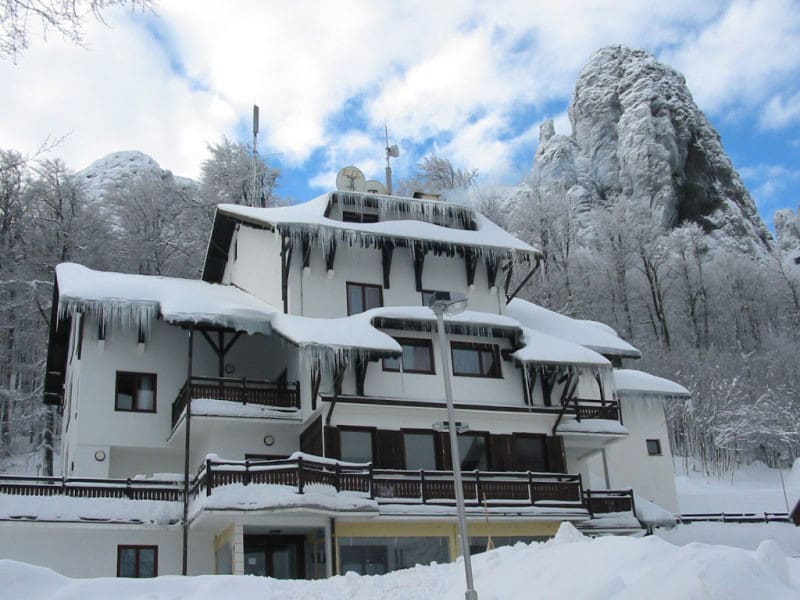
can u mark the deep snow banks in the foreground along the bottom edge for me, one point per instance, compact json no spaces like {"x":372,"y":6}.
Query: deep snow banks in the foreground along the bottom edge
{"x":569,"y":566}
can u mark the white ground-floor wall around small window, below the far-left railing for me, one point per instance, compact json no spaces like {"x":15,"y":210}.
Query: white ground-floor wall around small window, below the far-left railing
{"x":90,"y":550}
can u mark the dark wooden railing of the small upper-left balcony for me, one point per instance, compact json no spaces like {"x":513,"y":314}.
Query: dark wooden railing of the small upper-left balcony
{"x":244,"y":391}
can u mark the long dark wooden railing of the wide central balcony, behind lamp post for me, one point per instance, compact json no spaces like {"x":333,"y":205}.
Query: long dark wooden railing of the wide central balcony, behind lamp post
{"x":399,"y":487}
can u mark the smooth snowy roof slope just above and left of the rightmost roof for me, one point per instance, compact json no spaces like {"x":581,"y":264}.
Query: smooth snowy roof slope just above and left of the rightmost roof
{"x":590,"y":334}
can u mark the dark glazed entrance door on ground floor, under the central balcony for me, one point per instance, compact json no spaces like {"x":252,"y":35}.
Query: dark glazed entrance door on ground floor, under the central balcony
{"x":278,"y":556}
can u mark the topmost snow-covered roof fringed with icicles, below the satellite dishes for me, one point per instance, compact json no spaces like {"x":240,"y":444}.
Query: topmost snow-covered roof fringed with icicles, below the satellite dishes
{"x":413,"y":224}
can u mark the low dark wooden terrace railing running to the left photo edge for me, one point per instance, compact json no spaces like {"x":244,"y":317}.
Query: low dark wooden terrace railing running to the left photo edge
{"x":132,"y":489}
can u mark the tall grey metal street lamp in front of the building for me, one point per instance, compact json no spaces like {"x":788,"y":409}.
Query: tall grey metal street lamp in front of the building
{"x":441,"y":307}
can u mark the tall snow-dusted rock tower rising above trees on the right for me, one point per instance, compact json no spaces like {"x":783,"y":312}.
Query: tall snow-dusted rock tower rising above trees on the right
{"x":637,"y":132}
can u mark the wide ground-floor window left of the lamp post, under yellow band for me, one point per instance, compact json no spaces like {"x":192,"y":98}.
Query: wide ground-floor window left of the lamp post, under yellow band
{"x":377,"y":555}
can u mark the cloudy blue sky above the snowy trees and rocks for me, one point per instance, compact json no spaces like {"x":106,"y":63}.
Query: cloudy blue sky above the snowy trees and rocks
{"x":468,"y":80}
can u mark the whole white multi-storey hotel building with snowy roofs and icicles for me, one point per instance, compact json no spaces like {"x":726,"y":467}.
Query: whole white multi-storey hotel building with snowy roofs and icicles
{"x":299,"y":385}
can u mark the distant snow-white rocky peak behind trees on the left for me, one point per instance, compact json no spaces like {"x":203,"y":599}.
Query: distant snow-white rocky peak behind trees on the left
{"x":116,"y":171}
